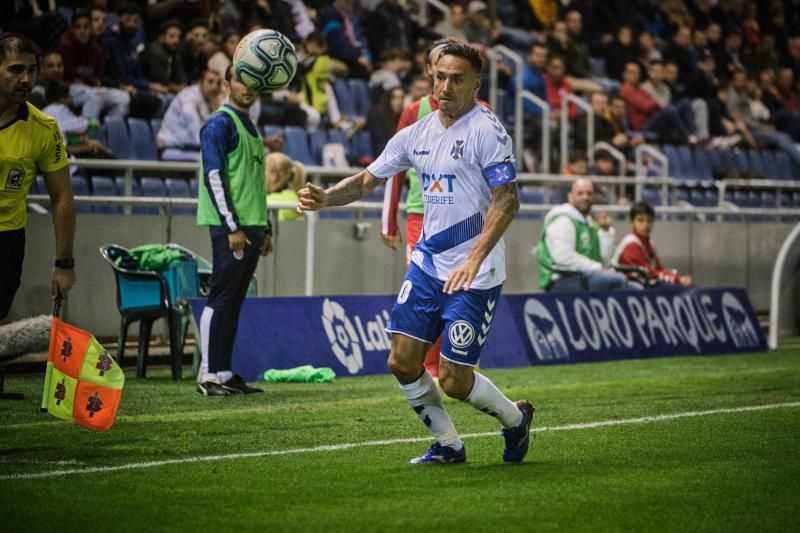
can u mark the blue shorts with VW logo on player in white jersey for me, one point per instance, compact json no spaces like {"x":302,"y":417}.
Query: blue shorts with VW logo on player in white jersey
{"x":422,"y":311}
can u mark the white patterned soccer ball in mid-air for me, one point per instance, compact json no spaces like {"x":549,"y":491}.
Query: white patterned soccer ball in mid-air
{"x":265,"y":61}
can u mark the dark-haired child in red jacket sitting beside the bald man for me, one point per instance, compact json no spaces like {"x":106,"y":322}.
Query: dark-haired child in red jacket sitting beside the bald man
{"x":635,"y":249}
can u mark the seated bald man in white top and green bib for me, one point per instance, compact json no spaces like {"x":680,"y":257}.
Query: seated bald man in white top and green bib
{"x":573,"y":241}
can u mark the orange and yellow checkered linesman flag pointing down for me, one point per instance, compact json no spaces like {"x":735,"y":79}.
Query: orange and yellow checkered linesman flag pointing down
{"x":83,"y":383}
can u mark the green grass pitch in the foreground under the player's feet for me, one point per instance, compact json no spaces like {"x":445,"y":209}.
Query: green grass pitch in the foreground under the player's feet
{"x":249,"y":463}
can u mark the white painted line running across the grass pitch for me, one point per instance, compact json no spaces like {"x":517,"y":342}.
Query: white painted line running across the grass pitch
{"x":388,"y":442}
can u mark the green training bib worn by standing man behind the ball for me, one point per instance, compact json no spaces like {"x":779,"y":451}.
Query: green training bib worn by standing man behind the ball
{"x":244,"y":175}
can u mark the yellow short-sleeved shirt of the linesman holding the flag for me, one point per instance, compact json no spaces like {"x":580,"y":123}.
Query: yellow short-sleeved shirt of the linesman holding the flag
{"x":31,"y":144}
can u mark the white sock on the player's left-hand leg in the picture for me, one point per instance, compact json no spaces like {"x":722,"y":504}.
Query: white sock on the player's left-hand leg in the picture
{"x":425,"y":399}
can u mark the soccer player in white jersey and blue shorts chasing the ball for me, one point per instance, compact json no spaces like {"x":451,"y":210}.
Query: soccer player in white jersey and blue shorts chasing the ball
{"x":464,"y":160}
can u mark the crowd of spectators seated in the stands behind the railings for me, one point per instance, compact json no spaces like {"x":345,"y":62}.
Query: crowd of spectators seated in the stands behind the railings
{"x":716,"y":72}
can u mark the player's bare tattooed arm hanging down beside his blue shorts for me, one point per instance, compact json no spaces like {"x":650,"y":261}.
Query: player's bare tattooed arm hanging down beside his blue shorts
{"x":502,"y":210}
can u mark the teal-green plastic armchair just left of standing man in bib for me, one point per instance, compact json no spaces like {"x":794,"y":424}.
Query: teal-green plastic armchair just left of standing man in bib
{"x":144,"y":296}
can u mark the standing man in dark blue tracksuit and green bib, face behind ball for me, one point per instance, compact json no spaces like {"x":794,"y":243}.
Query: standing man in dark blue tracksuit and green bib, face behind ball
{"x":232,"y":203}
